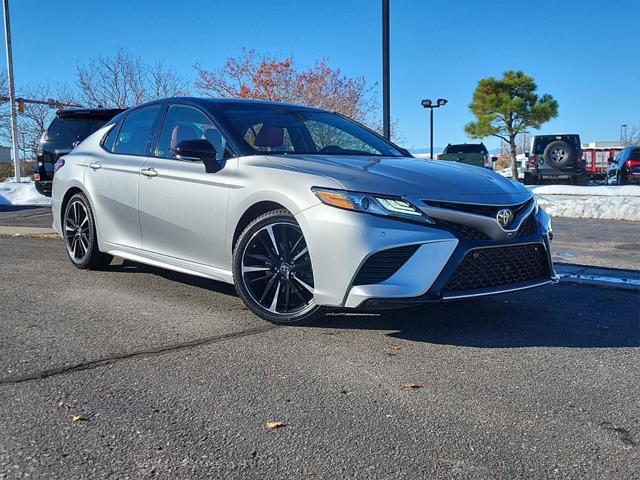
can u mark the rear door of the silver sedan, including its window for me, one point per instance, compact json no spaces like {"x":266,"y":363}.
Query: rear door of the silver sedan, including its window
{"x":112,"y":177}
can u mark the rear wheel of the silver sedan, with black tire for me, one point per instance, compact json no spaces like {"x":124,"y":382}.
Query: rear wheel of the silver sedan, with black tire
{"x":79,"y":231}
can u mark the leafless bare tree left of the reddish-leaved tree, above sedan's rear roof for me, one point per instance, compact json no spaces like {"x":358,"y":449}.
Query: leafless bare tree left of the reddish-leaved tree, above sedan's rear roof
{"x":124,"y":80}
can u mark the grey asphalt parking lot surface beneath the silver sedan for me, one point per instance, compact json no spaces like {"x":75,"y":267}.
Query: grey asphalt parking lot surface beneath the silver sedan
{"x":136,"y":372}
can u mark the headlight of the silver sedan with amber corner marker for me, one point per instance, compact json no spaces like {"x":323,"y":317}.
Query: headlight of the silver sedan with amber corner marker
{"x":369,"y":203}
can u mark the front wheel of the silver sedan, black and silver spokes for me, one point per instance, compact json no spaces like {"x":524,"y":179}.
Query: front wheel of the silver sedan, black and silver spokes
{"x":272,"y":269}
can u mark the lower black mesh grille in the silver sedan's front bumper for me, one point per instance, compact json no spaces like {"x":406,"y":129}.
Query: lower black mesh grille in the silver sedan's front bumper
{"x":498,"y":266}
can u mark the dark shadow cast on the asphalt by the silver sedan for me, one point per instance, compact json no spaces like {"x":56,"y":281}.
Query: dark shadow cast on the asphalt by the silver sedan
{"x":566,"y":316}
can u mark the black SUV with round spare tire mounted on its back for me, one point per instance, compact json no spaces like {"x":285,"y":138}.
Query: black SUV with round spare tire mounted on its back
{"x":555,"y":156}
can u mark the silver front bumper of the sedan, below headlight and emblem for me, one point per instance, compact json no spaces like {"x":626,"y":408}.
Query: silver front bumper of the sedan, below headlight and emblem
{"x":341,"y":242}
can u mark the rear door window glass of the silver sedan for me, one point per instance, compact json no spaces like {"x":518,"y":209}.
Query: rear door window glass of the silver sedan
{"x":136,"y":134}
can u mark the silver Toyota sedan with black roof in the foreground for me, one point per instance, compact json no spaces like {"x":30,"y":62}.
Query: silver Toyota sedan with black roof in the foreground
{"x":300,"y":208}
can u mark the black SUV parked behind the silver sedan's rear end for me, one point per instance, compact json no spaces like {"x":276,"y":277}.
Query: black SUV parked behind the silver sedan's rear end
{"x":67,"y":130}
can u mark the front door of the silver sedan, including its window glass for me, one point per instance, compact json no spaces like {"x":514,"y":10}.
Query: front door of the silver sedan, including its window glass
{"x":182,"y":207}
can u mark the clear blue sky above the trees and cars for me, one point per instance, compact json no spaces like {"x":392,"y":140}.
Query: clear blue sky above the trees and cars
{"x":585,"y":53}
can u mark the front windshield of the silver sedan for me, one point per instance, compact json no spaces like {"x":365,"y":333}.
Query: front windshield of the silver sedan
{"x":278,"y":129}
